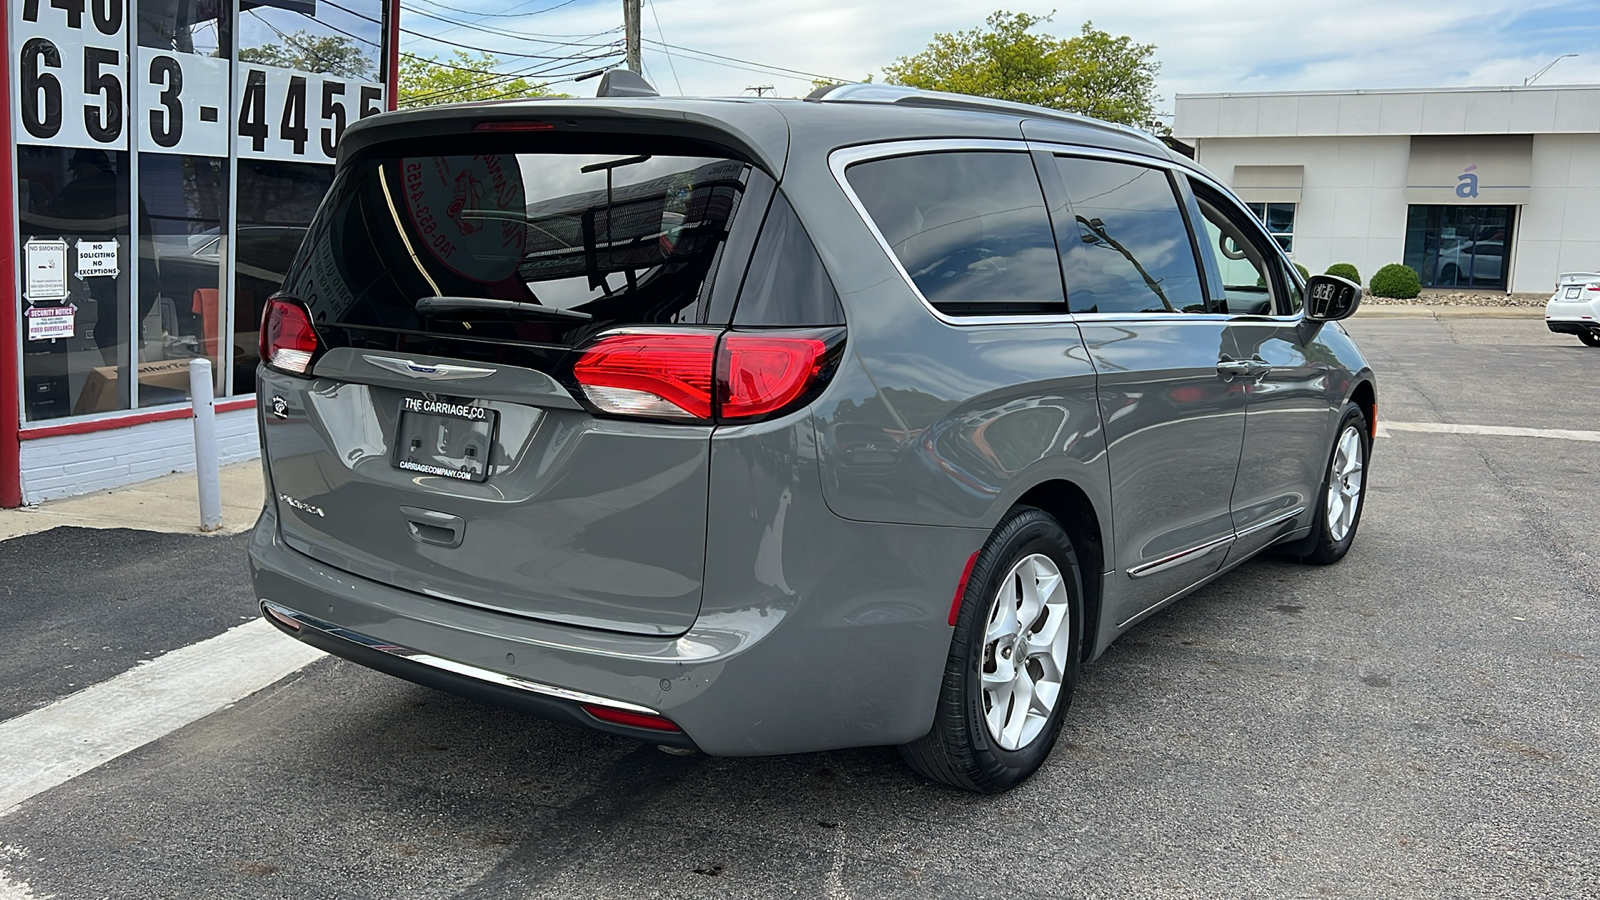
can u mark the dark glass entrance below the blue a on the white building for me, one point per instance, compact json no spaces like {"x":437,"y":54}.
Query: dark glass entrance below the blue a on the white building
{"x":1460,"y":247}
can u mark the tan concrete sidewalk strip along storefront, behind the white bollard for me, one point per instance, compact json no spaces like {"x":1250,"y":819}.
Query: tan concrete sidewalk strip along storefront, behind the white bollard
{"x":170,"y":504}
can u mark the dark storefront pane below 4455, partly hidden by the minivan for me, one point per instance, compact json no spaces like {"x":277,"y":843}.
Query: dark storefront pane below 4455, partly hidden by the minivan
{"x":276,"y":204}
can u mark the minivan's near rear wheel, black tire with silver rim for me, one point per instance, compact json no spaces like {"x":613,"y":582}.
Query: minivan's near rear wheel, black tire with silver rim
{"x":969,"y":744}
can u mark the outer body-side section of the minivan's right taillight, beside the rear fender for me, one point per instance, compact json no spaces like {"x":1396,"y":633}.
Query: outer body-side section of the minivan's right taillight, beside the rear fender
{"x":762,"y":374}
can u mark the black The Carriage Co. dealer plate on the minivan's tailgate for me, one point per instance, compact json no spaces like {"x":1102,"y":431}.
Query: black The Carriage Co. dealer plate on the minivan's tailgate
{"x":444,"y":438}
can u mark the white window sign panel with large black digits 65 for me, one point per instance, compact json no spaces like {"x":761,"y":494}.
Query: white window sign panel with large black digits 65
{"x":70,"y":62}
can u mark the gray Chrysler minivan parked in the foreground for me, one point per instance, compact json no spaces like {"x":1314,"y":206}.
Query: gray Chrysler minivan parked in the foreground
{"x":764,"y":427}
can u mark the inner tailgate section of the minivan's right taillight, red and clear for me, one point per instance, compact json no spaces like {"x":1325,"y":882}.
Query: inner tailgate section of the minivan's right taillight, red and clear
{"x":650,"y":374}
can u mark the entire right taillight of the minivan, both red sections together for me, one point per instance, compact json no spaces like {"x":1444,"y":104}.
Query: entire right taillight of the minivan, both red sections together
{"x":671,"y":374}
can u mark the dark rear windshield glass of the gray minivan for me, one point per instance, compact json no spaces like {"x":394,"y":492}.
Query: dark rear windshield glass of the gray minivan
{"x":474,"y":255}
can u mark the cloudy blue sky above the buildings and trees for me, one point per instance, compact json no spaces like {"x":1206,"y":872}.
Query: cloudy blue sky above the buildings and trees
{"x":1202,"y":46}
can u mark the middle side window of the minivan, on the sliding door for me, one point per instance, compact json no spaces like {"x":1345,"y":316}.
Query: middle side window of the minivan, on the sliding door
{"x":1132,"y":251}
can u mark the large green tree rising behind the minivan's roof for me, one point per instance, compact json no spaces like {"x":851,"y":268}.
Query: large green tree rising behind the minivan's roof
{"x":1094,"y":74}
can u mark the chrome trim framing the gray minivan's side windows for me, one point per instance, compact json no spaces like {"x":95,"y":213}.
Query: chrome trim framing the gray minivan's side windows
{"x":844,"y":158}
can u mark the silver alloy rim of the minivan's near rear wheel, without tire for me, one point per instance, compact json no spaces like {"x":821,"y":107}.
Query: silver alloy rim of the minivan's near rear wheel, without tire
{"x":1026,"y":645}
